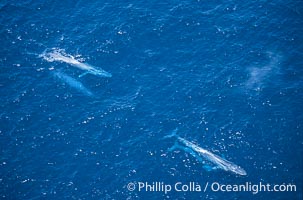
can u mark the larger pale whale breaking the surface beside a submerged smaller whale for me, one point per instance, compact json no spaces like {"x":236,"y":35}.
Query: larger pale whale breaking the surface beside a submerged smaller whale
{"x":61,"y":56}
